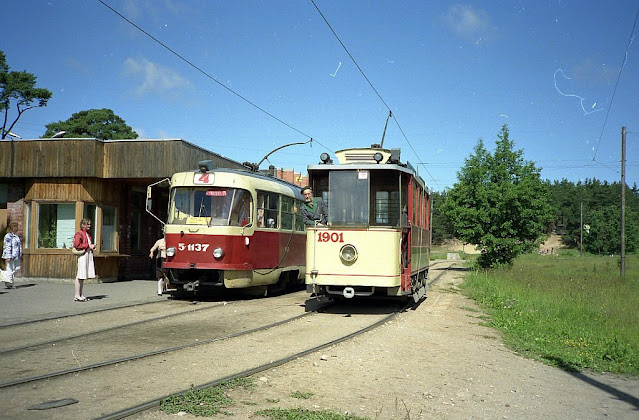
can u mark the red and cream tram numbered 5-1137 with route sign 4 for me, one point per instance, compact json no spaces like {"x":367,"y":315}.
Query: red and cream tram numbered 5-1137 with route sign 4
{"x":233,"y":229}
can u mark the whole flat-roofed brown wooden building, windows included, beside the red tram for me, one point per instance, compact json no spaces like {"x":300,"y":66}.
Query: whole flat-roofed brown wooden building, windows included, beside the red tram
{"x":50,"y":185}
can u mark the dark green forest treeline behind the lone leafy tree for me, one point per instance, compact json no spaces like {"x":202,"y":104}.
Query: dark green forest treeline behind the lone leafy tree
{"x":591,"y":208}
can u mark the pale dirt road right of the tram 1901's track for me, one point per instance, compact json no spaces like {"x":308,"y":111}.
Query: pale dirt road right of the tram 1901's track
{"x":436,"y":362}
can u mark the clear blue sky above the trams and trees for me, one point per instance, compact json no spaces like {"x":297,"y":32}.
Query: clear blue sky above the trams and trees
{"x":451,"y":72}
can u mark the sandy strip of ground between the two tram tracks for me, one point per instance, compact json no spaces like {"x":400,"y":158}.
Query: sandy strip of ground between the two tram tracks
{"x":146,"y":338}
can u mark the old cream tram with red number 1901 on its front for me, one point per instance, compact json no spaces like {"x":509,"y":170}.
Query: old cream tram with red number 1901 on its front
{"x":377,"y":242}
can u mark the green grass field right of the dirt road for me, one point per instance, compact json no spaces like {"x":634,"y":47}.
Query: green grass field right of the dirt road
{"x":570,"y":311}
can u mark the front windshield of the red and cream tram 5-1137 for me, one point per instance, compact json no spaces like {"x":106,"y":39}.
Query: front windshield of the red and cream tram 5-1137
{"x":212,"y":206}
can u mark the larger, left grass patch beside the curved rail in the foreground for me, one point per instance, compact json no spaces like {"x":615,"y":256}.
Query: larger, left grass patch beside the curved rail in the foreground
{"x":206,"y":402}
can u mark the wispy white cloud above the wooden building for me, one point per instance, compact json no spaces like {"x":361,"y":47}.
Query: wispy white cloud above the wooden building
{"x":154,"y":78}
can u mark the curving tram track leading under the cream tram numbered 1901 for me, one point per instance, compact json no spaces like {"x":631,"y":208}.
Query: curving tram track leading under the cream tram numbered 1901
{"x":126,"y":386}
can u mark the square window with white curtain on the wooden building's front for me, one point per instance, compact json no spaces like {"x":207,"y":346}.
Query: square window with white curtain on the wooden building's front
{"x":56,"y":225}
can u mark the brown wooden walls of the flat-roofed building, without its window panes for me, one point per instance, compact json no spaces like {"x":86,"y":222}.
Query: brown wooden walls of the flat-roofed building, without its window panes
{"x":111,"y":172}
